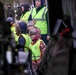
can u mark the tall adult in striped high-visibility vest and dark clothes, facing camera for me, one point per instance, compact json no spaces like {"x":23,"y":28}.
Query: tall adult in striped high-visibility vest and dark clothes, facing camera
{"x":39,"y":14}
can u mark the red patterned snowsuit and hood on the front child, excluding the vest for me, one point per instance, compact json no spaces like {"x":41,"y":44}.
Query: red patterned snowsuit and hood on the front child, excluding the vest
{"x":42,"y":46}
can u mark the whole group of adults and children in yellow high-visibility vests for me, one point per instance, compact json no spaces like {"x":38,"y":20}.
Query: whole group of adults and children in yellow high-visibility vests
{"x":31,"y":31}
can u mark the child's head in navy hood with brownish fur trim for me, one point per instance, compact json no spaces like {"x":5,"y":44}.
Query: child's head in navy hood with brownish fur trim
{"x":21,"y":27}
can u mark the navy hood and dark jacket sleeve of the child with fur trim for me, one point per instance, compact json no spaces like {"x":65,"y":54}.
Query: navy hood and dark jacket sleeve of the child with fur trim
{"x":21,"y":40}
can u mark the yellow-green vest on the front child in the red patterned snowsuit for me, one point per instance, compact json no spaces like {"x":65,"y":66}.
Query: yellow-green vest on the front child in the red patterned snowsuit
{"x":35,"y":48}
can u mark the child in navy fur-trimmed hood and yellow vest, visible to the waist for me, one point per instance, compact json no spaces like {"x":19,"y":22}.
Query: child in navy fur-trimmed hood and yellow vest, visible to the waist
{"x":23,"y":39}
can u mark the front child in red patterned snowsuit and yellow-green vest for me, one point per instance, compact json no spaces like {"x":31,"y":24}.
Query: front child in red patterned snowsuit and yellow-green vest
{"x":37,"y":46}
